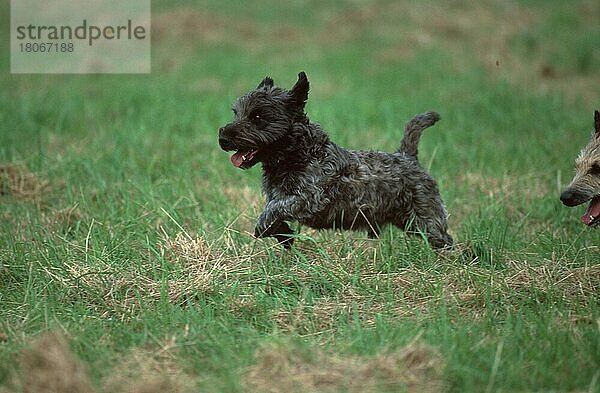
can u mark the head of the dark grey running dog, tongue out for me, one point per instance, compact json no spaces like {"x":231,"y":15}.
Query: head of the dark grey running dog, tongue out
{"x":262,"y":119}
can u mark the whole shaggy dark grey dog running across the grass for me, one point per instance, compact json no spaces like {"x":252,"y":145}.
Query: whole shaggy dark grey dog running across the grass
{"x":310,"y":179}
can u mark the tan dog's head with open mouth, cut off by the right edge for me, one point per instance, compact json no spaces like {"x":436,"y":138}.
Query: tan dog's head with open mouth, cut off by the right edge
{"x":585,"y":186}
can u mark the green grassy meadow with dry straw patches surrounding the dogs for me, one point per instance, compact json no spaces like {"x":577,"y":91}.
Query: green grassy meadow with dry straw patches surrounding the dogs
{"x":127,"y":261}
